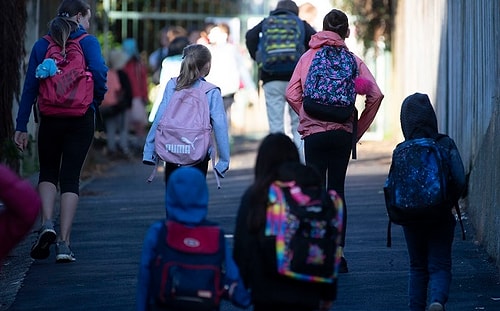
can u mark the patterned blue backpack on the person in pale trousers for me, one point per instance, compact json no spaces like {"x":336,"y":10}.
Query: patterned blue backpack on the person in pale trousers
{"x":281,"y":44}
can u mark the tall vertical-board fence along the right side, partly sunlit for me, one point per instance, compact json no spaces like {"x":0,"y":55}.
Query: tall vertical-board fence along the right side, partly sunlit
{"x":449,"y":50}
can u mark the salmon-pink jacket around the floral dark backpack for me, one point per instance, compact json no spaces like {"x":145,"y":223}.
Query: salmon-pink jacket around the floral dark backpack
{"x":294,"y":91}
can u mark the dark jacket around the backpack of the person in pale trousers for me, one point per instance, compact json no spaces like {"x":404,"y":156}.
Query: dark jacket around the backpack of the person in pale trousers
{"x":252,"y":42}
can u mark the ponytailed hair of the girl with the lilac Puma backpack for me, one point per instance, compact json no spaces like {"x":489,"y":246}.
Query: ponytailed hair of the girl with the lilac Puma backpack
{"x":194,"y":58}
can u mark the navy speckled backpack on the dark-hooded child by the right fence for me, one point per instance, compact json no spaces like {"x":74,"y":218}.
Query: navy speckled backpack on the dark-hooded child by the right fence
{"x":416,"y":189}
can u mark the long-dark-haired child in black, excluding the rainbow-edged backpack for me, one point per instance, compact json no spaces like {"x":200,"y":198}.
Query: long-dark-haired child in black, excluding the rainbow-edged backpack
{"x":271,"y":291}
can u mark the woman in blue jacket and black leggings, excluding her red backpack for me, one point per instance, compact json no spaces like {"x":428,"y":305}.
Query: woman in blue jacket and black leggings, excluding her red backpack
{"x":63,"y":142}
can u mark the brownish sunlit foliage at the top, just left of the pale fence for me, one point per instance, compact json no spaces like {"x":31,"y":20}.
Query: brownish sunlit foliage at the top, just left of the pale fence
{"x":373,"y":20}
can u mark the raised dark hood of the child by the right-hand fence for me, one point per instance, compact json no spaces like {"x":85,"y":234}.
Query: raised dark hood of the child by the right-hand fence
{"x":418,"y":118}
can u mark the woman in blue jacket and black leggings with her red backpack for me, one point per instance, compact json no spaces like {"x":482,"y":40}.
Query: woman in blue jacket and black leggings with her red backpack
{"x":64,"y":135}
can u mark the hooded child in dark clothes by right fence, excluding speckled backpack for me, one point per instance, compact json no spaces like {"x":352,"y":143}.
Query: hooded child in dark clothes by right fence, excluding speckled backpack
{"x":429,"y":247}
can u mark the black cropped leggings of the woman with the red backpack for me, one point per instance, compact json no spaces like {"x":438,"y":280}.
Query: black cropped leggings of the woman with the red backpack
{"x":63,"y":144}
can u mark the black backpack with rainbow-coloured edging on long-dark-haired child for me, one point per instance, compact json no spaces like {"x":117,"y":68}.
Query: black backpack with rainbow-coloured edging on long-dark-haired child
{"x":306,"y":224}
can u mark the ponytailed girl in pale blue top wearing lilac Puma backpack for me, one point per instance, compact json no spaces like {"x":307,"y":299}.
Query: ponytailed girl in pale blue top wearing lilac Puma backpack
{"x":194,"y":68}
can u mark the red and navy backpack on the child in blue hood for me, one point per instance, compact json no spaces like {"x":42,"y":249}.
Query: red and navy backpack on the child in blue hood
{"x":188,"y":271}
